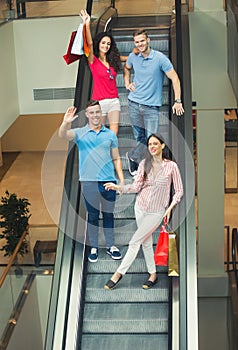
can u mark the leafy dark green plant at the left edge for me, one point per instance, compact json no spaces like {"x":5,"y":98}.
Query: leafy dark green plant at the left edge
{"x":14,"y":218}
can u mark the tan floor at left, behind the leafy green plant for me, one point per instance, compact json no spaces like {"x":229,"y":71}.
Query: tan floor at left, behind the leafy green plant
{"x":39,"y":177}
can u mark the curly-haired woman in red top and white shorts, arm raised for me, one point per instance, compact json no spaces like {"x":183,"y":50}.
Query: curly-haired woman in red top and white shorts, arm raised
{"x":104,"y":62}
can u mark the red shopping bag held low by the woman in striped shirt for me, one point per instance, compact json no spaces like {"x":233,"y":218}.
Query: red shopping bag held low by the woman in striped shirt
{"x":162,"y":247}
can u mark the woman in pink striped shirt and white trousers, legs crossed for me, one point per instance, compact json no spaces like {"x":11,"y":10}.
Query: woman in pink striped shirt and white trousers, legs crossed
{"x":153,"y":184}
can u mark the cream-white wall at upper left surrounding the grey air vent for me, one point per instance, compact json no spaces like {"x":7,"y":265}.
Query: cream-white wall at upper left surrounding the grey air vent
{"x":31,"y":58}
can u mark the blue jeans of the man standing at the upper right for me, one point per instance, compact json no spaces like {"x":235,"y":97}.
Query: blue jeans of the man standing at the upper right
{"x":145,"y":121}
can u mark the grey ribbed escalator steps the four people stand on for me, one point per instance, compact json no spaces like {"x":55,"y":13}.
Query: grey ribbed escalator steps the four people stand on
{"x":127,"y":316}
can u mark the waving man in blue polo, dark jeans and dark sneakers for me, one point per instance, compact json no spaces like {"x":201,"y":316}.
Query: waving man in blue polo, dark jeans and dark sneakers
{"x":98,"y":155}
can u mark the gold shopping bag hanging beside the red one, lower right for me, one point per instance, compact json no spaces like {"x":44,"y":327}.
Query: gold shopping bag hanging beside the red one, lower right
{"x":173,"y":263}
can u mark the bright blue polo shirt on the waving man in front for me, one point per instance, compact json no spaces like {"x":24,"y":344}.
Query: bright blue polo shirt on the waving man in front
{"x":95,"y":161}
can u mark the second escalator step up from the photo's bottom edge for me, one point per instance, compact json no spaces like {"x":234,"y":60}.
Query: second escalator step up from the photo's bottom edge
{"x":126,"y":318}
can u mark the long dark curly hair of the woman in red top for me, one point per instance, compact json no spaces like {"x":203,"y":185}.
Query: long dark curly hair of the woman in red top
{"x":113,"y":54}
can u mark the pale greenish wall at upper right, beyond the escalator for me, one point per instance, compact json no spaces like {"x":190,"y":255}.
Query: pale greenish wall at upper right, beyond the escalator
{"x":211,"y":87}
